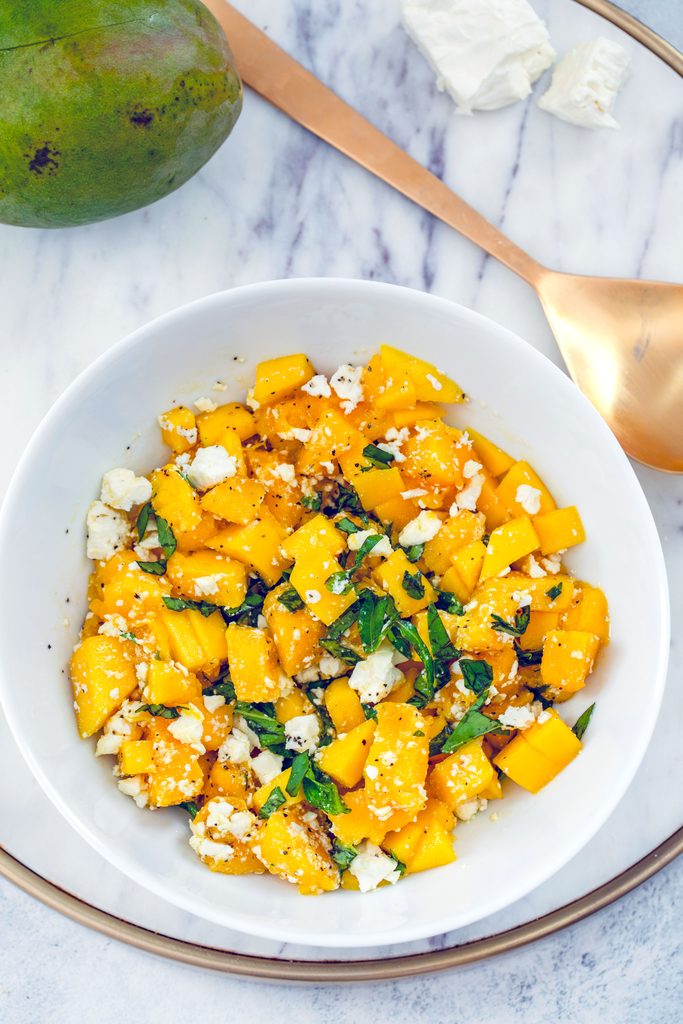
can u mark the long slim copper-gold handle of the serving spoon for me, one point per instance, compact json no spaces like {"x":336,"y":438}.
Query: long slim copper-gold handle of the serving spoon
{"x":287,"y":84}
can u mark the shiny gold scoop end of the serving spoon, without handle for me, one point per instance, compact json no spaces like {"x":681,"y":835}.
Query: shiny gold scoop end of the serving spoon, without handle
{"x":623,"y":344}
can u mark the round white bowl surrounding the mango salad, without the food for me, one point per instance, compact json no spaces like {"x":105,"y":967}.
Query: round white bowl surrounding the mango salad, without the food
{"x":108,"y":418}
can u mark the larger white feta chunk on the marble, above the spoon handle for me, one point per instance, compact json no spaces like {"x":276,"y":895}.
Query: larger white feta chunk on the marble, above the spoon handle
{"x":486,"y":54}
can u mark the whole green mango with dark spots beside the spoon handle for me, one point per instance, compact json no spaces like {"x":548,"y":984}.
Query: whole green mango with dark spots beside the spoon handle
{"x":107,"y":106}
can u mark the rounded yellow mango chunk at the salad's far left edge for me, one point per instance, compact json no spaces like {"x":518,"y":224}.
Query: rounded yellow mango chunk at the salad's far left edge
{"x":103,"y":672}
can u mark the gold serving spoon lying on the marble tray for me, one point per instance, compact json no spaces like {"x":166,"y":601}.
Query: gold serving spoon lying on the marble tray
{"x":622,"y":340}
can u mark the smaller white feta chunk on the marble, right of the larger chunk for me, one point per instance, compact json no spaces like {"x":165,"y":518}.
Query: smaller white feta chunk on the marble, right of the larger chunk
{"x":586,"y":83}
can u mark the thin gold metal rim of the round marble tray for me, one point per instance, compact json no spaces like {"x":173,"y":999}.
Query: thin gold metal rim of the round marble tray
{"x":280,"y":969}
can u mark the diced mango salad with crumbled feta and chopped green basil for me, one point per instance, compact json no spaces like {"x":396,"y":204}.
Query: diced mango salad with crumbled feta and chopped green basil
{"x":332,"y":626}
